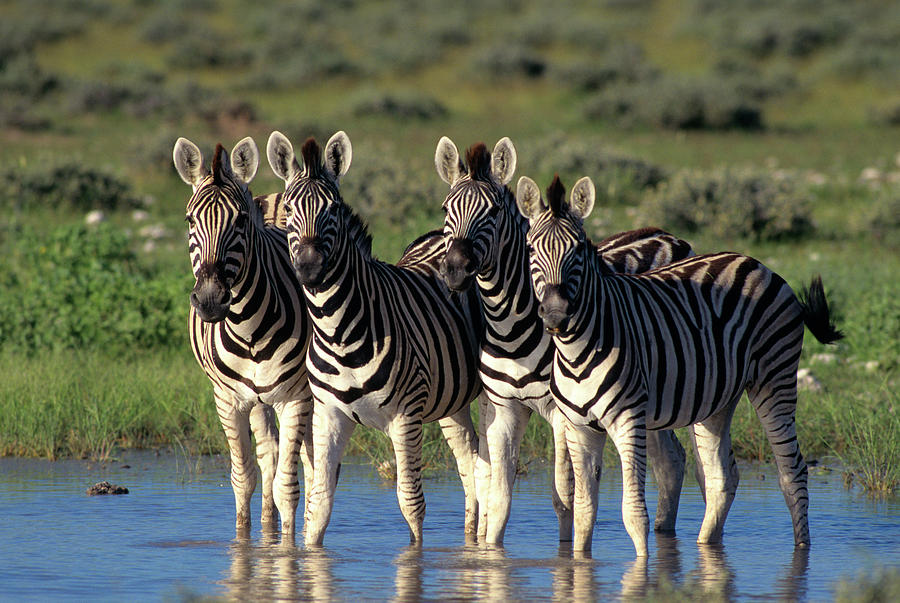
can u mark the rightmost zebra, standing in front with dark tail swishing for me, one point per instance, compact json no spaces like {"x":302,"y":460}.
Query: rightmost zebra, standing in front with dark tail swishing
{"x":670,"y":348}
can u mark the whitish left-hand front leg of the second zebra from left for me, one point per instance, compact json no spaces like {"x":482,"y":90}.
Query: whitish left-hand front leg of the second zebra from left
{"x":331,"y":432}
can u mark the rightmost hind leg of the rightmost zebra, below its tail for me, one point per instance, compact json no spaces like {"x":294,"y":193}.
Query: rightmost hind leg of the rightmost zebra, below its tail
{"x":776,"y":403}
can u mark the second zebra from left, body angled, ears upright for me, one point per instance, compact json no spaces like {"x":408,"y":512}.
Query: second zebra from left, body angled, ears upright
{"x":391,"y":348}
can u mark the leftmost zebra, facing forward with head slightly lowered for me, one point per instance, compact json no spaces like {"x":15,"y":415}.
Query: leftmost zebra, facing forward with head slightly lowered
{"x":249,"y":327}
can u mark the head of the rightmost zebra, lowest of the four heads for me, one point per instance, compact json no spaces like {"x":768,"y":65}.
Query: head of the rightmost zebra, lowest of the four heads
{"x":559,"y":248}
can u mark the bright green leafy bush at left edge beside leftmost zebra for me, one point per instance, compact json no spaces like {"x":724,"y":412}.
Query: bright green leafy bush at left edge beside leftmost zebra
{"x":81,"y":287}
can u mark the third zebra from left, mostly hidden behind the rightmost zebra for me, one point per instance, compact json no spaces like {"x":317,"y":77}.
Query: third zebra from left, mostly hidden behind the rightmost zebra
{"x":485,"y":243}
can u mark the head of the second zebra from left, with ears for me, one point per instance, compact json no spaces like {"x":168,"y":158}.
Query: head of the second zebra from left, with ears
{"x":311,"y":199}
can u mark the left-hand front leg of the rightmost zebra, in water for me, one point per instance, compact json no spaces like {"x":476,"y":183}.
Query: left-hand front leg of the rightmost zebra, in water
{"x":586,"y":447}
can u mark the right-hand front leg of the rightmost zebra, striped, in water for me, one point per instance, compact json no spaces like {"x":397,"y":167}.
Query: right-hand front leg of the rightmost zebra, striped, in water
{"x":631,"y":443}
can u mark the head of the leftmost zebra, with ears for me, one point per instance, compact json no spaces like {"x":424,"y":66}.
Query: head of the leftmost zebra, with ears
{"x":218,"y":214}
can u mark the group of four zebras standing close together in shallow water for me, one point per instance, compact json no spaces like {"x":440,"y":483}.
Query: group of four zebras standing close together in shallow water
{"x":304,"y":334}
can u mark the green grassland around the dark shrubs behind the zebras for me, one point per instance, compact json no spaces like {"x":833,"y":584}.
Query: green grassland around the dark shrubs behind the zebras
{"x":820,"y":125}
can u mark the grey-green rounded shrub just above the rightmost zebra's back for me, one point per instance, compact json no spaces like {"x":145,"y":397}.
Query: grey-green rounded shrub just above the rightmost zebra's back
{"x":731,"y":203}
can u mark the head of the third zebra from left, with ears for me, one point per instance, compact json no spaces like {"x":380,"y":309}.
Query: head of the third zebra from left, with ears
{"x":477,"y":193}
